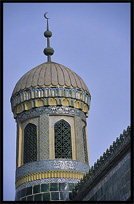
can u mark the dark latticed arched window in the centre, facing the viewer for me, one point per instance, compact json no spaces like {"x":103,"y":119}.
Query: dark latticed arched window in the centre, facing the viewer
{"x":63,"y":147}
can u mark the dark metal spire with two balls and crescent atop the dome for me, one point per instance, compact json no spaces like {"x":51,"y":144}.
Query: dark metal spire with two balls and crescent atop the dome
{"x":48,"y":51}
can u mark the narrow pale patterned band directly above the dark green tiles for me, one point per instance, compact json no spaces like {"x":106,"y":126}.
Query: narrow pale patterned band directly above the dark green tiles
{"x":48,"y":180}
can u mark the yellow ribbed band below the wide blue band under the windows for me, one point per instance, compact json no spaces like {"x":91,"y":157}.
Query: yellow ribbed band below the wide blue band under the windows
{"x":49,"y":174}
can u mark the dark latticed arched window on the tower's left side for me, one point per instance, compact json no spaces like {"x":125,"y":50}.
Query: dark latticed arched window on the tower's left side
{"x":30,"y":143}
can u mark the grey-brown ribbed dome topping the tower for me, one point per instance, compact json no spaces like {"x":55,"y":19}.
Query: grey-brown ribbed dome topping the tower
{"x":50,"y":73}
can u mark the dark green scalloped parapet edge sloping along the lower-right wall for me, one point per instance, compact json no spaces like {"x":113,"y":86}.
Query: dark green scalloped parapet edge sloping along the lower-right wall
{"x":104,"y":160}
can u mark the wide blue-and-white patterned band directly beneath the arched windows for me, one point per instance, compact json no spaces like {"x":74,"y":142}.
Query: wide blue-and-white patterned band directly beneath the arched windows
{"x":51,"y":165}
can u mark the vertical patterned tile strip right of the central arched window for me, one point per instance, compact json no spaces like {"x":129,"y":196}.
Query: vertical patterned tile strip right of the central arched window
{"x":79,"y":140}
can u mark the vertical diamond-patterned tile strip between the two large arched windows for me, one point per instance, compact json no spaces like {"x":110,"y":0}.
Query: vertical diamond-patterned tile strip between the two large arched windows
{"x":44,"y":137}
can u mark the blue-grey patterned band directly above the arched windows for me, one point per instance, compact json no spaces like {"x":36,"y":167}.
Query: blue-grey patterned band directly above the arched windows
{"x":56,"y":110}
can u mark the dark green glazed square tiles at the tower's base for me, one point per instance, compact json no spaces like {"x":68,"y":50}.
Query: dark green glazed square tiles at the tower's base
{"x":52,"y":191}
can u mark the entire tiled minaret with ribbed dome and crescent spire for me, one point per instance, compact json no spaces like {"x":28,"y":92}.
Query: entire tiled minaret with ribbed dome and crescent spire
{"x":50,"y":104}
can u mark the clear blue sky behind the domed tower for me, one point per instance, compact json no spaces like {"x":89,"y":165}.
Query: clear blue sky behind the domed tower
{"x":92,"y":39}
